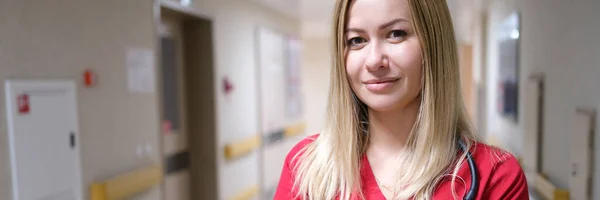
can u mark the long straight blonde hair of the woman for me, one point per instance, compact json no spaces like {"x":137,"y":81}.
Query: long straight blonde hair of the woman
{"x":329,"y":167}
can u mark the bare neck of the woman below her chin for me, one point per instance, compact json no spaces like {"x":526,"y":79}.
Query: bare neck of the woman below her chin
{"x":388,"y":131}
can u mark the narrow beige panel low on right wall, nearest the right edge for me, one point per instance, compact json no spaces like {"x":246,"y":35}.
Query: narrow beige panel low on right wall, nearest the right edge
{"x":581,"y":156}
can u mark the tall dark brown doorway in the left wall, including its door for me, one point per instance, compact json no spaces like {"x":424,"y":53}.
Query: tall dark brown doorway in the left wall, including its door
{"x":188,"y":139}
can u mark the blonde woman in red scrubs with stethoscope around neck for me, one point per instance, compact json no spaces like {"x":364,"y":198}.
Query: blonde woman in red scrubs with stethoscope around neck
{"x":396,"y":119}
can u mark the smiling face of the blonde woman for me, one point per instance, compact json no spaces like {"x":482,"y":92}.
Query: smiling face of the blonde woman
{"x":383,"y":54}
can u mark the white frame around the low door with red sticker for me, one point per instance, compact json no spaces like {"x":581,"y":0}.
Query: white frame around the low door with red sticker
{"x":13,"y":86}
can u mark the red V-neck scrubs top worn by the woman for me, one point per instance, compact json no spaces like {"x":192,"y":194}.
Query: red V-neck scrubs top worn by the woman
{"x":500,"y":177}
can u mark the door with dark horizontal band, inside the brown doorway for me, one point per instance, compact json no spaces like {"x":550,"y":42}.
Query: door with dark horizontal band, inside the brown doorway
{"x":175,"y":134}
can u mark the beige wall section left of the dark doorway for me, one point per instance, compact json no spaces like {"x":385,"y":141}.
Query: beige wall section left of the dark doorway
{"x":58,"y":40}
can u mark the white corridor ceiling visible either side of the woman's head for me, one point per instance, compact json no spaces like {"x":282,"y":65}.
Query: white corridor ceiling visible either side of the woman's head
{"x":316,"y":14}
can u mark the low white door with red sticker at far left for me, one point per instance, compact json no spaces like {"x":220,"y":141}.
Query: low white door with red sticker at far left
{"x":43,"y":140}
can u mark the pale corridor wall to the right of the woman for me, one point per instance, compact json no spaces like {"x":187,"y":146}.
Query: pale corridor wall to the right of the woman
{"x":558,"y":38}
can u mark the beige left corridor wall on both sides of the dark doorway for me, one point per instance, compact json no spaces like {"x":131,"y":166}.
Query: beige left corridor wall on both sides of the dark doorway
{"x":62,"y":38}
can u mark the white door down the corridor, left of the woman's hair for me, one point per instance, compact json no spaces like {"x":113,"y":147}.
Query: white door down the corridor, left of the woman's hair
{"x":272,"y":69}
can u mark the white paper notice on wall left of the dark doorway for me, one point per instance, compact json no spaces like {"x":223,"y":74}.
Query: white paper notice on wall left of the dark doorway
{"x":140,"y":70}
